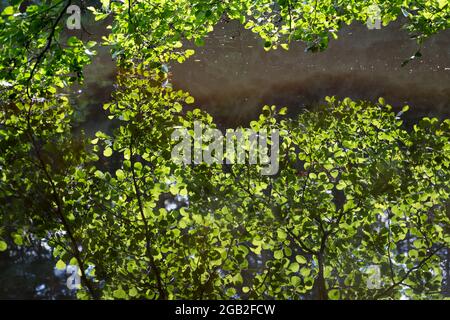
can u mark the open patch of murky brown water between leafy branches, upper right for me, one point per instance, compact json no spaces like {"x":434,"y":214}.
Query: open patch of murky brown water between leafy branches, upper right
{"x":232,"y":77}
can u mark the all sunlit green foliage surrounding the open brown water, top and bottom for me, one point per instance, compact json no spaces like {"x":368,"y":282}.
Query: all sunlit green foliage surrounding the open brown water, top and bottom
{"x":356,"y":188}
